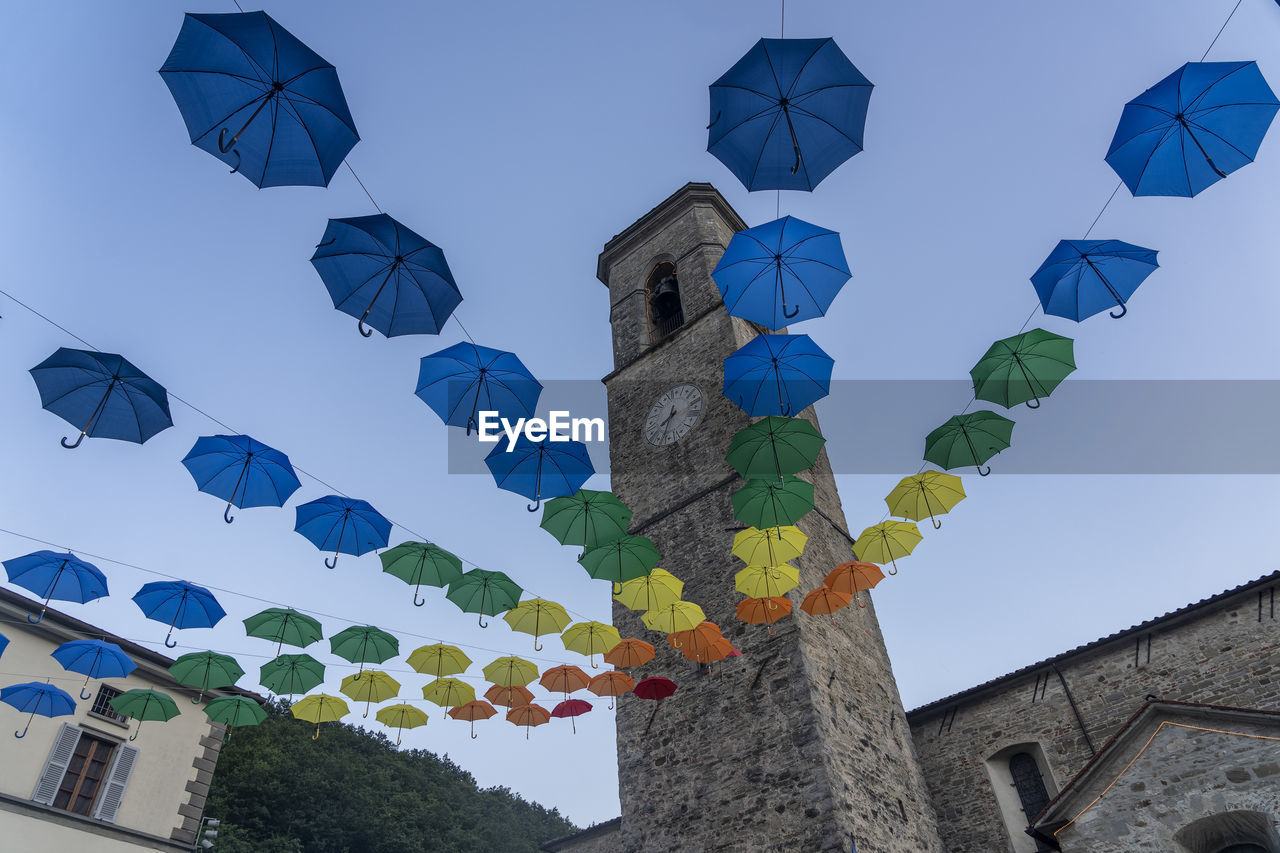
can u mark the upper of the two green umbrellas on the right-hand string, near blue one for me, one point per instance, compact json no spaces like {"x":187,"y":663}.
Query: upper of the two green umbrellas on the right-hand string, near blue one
{"x":1023,"y":368}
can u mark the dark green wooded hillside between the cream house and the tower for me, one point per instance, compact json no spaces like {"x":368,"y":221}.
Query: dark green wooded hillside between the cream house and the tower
{"x":276,"y":791}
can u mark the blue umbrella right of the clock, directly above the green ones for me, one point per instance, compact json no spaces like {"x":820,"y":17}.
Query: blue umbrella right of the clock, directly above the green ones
{"x":778,"y":375}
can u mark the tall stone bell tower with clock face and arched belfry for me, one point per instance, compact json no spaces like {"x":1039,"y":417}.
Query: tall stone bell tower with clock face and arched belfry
{"x":802,"y":743}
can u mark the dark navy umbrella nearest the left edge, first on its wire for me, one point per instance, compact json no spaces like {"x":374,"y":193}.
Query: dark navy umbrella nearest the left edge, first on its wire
{"x":103,"y":395}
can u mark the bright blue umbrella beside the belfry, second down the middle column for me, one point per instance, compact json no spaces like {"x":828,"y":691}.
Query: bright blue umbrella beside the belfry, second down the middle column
{"x":762,"y":264}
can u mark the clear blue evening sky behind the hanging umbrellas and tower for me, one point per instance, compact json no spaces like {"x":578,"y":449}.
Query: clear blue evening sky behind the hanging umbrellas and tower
{"x":520,"y":138}
